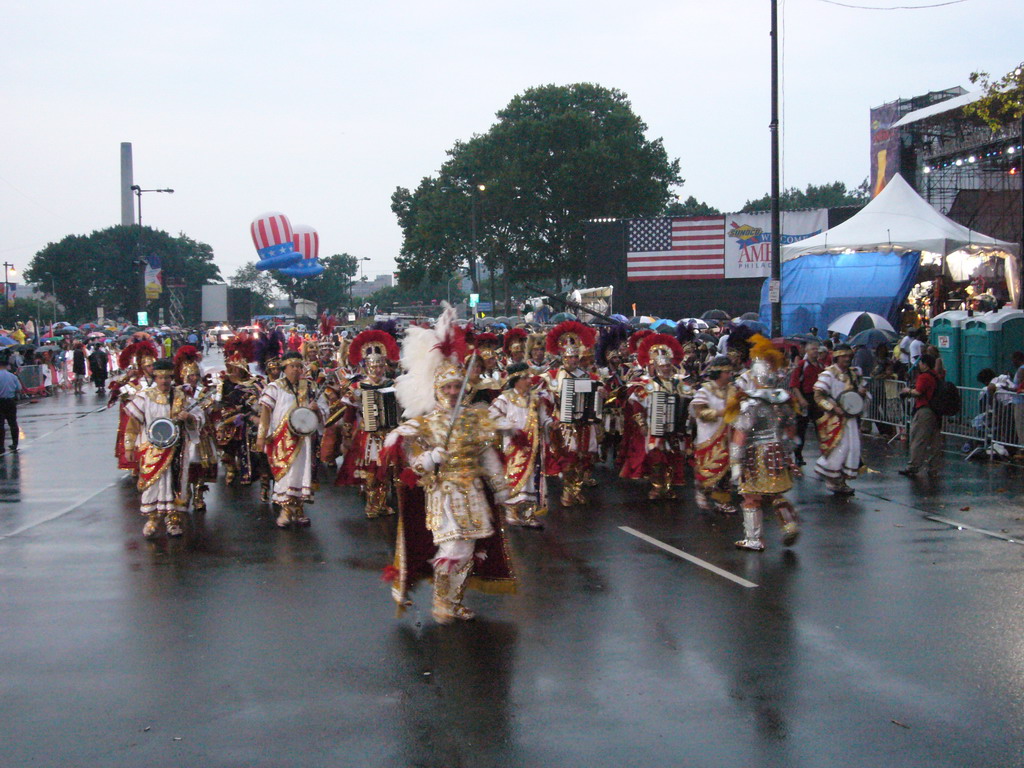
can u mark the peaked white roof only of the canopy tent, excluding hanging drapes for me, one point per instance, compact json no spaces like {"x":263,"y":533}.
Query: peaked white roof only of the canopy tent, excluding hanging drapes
{"x":900,"y":220}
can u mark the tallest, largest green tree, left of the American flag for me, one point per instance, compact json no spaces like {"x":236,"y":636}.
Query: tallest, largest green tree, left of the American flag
{"x":558,"y":157}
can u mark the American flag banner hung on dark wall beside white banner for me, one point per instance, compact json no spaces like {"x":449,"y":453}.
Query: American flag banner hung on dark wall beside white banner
{"x":676,"y":249}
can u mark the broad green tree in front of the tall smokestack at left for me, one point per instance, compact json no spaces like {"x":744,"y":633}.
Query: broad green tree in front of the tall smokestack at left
{"x":106,"y":269}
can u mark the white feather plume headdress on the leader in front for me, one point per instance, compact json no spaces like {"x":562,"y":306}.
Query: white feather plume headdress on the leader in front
{"x":424,"y":351}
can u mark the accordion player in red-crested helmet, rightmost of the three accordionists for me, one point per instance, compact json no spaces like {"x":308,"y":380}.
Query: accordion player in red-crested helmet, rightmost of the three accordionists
{"x":658,"y":403}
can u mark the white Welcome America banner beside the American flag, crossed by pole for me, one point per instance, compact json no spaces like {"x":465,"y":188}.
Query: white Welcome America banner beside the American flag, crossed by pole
{"x":748,"y":239}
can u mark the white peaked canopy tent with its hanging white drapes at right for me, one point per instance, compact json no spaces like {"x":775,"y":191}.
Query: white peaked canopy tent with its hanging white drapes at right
{"x":900,"y":220}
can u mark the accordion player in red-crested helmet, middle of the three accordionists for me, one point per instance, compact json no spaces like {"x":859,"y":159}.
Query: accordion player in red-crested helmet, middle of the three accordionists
{"x":579,"y":400}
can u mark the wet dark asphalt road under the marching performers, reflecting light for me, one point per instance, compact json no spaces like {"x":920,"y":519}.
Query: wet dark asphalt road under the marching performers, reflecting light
{"x":882,"y":639}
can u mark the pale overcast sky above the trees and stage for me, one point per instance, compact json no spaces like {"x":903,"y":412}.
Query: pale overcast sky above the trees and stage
{"x":320,"y":110}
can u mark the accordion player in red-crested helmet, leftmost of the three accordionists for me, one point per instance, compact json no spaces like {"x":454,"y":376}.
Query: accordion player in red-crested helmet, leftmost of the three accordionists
{"x":372,"y":413}
